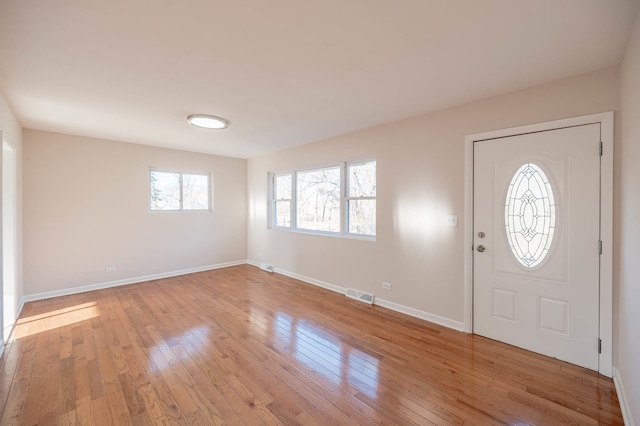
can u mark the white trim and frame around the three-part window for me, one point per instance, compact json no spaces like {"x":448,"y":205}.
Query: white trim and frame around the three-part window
{"x":344,"y":218}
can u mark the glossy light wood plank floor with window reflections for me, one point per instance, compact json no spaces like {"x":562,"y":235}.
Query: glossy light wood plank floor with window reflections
{"x":242,"y":346}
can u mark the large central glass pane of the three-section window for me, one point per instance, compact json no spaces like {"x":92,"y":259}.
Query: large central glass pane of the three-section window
{"x":318,"y":199}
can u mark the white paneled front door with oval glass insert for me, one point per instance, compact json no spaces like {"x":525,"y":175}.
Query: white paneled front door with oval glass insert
{"x":536,"y":225}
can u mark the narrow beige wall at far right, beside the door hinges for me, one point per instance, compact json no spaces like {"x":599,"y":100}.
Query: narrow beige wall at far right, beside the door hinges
{"x":629,"y":222}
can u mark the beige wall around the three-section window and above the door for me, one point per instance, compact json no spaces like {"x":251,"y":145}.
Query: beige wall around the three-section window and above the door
{"x":420,"y":180}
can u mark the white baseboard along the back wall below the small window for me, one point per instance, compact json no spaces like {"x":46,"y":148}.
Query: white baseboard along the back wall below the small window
{"x":108,"y":284}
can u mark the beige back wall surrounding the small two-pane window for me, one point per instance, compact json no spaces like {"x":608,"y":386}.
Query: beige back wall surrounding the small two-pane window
{"x":86,"y":208}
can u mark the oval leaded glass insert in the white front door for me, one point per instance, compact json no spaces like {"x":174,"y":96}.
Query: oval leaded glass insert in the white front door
{"x":530,"y":215}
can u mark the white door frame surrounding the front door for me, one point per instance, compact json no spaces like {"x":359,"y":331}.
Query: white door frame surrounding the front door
{"x":606,"y":122}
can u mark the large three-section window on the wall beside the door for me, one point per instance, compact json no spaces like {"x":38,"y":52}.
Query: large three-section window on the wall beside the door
{"x":337,"y":199}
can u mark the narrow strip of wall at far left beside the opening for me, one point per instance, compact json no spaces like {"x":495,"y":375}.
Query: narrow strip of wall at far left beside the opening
{"x":12,"y":135}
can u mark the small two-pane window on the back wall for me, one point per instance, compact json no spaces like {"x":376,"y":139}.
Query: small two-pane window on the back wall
{"x":173,"y":191}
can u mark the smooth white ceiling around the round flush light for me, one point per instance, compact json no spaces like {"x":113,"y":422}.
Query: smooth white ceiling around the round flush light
{"x":284,"y":72}
